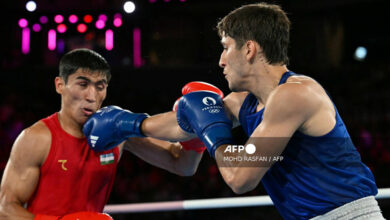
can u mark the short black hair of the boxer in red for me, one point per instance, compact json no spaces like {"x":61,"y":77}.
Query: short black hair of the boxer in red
{"x":85,"y":59}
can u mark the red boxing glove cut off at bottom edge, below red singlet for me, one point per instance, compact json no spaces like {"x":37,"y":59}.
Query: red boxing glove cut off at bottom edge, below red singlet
{"x":76,"y":216}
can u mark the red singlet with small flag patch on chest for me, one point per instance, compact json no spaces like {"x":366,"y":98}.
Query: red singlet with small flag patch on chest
{"x":73,"y":178}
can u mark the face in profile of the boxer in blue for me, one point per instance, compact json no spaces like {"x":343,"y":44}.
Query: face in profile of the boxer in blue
{"x":233,"y":62}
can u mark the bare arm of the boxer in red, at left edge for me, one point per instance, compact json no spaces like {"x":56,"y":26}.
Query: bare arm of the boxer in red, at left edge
{"x":21,"y":174}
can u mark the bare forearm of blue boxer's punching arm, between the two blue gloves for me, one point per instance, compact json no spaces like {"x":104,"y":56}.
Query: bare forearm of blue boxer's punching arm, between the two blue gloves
{"x":164,"y":126}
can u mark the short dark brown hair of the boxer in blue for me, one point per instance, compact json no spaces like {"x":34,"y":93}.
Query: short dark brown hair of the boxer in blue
{"x":267,"y":24}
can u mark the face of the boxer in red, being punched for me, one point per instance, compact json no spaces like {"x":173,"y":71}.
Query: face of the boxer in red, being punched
{"x":83,"y":94}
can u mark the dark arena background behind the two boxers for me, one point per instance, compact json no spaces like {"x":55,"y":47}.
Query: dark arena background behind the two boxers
{"x":180,"y":44}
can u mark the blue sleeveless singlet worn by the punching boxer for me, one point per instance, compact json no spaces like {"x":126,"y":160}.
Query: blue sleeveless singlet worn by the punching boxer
{"x":319,"y":173}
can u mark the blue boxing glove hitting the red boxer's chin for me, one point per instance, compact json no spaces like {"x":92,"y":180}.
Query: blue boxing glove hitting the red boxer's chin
{"x":110,"y":126}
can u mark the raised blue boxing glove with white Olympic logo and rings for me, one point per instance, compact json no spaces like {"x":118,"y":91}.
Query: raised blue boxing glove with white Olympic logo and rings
{"x":203,"y":113}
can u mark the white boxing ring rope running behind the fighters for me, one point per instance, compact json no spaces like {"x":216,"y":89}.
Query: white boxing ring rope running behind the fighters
{"x":205,"y":204}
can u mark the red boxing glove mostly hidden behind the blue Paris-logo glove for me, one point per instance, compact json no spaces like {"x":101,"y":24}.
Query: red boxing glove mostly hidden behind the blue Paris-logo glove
{"x":196,"y":144}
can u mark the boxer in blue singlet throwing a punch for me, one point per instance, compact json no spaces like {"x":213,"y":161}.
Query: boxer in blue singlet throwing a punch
{"x":321,"y":175}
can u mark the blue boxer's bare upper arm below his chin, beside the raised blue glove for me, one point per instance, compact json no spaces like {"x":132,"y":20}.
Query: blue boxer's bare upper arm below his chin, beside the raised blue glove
{"x":233,"y":103}
